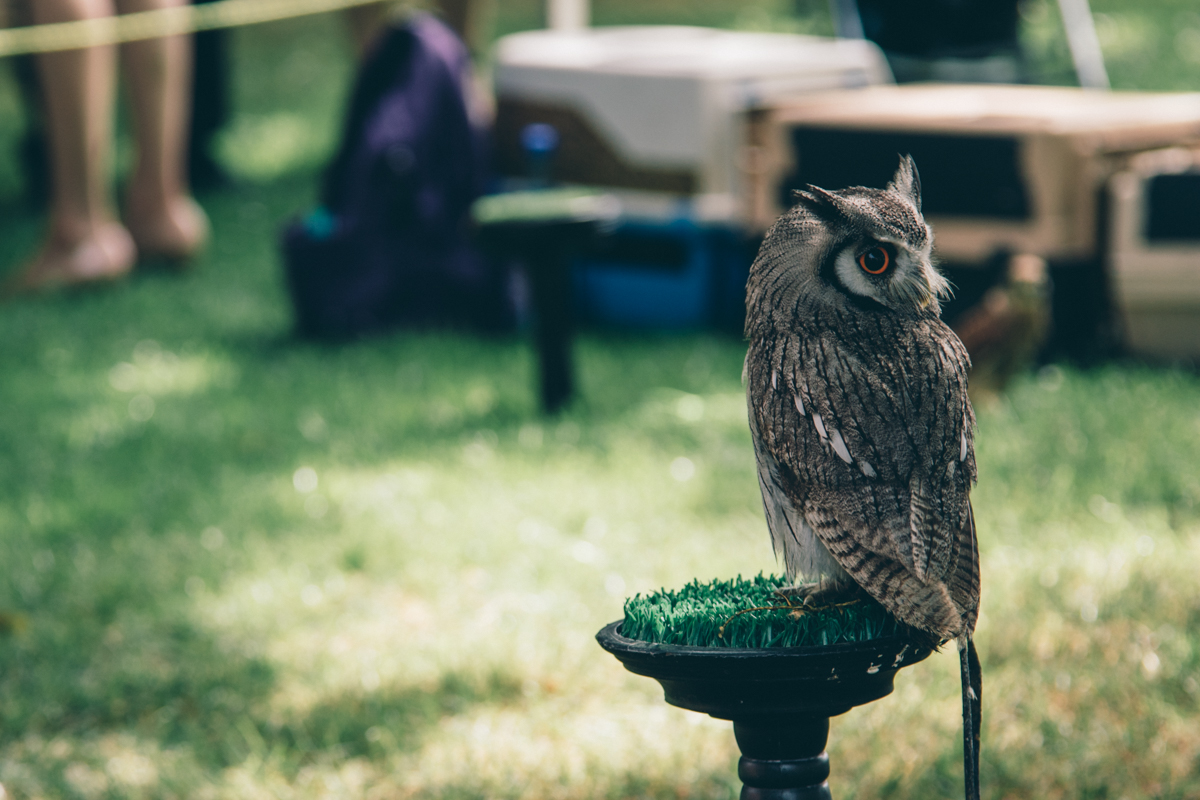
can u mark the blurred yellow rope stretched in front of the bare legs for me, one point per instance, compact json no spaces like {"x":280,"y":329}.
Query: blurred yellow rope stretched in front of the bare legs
{"x":164,"y":22}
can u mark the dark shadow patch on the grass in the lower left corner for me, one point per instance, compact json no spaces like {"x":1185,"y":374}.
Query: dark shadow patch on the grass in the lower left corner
{"x":176,"y":685}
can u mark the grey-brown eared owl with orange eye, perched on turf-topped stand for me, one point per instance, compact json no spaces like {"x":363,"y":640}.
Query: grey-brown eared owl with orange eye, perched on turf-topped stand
{"x":860,"y":413}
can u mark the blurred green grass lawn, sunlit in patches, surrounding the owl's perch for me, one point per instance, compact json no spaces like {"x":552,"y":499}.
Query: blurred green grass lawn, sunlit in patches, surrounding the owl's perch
{"x":242,"y":567}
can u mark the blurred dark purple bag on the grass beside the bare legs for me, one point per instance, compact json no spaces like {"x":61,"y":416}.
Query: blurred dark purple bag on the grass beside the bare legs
{"x":391,"y":244}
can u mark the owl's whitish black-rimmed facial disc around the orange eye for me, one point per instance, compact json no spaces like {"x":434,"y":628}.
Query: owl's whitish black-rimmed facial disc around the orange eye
{"x":891,"y":274}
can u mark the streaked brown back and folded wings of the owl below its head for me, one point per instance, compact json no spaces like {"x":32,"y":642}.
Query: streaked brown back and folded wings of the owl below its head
{"x":866,"y":424}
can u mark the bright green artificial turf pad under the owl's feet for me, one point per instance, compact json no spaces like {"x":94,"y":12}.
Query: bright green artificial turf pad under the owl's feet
{"x":742,"y":613}
